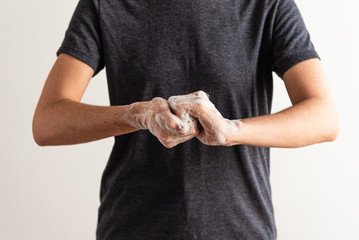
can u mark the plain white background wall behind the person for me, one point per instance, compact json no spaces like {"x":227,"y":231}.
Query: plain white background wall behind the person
{"x":53,"y":192}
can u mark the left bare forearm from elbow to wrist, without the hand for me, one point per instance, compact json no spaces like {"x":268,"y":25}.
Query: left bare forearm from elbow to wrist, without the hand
{"x":69,"y":122}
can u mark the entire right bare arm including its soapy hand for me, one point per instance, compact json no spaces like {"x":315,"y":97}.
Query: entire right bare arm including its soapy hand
{"x":312,"y":118}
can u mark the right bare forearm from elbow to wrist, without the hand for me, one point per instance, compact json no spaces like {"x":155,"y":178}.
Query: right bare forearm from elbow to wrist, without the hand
{"x":310,"y":121}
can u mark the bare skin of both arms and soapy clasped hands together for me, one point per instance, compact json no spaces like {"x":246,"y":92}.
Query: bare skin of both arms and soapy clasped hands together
{"x":61,"y":119}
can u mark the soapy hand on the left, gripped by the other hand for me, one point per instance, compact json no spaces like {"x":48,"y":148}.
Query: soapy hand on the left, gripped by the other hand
{"x":156,"y":116}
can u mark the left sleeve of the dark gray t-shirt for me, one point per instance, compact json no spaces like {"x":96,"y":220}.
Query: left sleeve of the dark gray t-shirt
{"x":82,"y":38}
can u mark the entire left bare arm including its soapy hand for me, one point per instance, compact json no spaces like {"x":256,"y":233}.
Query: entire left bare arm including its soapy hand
{"x":60,"y":118}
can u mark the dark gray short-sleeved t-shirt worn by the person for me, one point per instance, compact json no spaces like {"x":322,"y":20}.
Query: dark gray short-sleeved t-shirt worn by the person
{"x":161,"y":48}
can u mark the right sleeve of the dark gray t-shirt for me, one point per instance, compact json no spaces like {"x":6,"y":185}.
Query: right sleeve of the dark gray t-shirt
{"x":291,"y":40}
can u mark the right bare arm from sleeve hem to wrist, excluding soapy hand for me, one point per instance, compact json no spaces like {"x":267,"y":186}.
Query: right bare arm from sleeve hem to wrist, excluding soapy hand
{"x":313,"y":118}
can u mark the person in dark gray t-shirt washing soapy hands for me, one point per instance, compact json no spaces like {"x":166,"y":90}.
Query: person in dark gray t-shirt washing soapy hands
{"x":190,"y":86}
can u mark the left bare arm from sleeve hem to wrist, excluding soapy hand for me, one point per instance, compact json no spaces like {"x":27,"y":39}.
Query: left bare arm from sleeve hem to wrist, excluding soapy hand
{"x":61,"y":119}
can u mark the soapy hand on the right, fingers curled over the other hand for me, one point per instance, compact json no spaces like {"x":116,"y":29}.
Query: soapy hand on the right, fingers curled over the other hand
{"x":215,"y":130}
